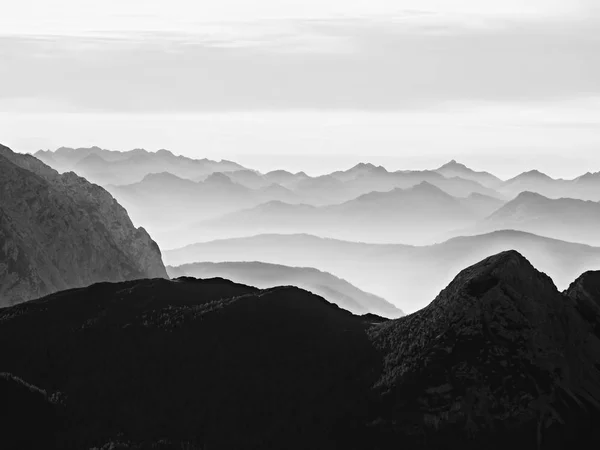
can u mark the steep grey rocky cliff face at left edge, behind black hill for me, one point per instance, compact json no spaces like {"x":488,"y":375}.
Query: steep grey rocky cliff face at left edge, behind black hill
{"x":60,"y":231}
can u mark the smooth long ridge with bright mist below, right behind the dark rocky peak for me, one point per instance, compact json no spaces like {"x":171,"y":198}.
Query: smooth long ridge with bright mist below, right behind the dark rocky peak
{"x":407,"y":276}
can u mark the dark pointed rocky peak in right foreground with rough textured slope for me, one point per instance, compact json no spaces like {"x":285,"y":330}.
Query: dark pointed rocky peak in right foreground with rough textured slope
{"x":500,"y":352}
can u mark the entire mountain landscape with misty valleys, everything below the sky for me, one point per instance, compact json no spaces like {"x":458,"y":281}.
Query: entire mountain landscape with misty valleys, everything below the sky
{"x":156,"y":301}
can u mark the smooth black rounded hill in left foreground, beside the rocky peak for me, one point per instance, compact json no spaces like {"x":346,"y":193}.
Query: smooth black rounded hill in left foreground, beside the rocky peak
{"x":208,"y":363}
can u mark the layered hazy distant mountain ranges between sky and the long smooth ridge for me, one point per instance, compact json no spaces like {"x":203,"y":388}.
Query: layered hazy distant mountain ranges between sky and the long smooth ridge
{"x":182,"y":200}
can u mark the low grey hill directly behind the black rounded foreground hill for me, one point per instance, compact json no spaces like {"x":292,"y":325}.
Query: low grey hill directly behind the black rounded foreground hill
{"x":264,"y":275}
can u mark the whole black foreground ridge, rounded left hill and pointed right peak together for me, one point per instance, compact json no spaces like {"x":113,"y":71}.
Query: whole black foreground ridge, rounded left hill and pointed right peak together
{"x":500,"y":359}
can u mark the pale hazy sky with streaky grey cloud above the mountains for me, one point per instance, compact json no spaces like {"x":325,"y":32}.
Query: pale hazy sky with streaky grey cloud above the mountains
{"x":312,"y":84}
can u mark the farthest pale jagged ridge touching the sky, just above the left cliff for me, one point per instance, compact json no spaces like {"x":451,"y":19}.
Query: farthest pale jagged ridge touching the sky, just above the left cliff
{"x":107,"y":167}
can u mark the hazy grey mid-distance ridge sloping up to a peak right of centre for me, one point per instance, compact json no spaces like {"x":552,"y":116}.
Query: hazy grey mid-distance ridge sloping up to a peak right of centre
{"x":418,"y":214}
